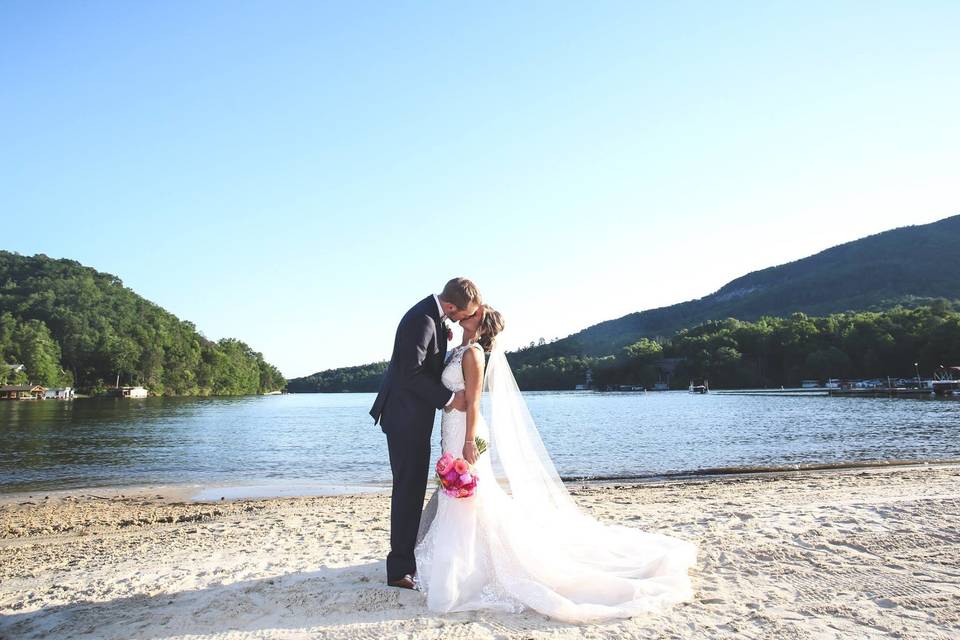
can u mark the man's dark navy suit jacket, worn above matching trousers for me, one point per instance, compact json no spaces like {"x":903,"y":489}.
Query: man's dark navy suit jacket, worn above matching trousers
{"x":411,"y":390}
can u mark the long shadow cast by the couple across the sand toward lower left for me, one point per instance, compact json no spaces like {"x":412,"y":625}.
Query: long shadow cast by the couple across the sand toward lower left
{"x":315,"y":603}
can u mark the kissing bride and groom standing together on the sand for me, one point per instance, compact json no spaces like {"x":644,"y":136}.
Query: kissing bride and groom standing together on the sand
{"x":518,"y":541}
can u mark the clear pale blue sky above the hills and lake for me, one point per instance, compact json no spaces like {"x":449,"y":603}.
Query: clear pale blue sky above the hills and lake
{"x":296,"y":175}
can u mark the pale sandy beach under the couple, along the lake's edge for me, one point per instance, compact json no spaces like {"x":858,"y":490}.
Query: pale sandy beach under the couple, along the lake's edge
{"x":865,"y":553}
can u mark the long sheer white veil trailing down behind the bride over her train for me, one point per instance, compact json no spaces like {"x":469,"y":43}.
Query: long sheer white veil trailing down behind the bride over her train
{"x":549,"y":553}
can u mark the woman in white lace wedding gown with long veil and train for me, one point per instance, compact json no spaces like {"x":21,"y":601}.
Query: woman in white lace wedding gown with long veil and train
{"x":526,"y":544}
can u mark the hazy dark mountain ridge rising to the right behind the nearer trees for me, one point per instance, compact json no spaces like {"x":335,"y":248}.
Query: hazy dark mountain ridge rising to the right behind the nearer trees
{"x":897,"y":267}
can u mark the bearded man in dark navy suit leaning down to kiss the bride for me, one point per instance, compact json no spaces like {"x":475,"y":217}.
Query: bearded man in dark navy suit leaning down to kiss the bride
{"x":410,"y":394}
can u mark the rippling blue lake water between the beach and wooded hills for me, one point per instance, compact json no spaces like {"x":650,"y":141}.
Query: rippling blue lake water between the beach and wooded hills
{"x":308,"y":443}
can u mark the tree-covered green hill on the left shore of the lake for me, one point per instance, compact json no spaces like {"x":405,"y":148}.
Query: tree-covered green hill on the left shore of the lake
{"x":97,"y":329}
